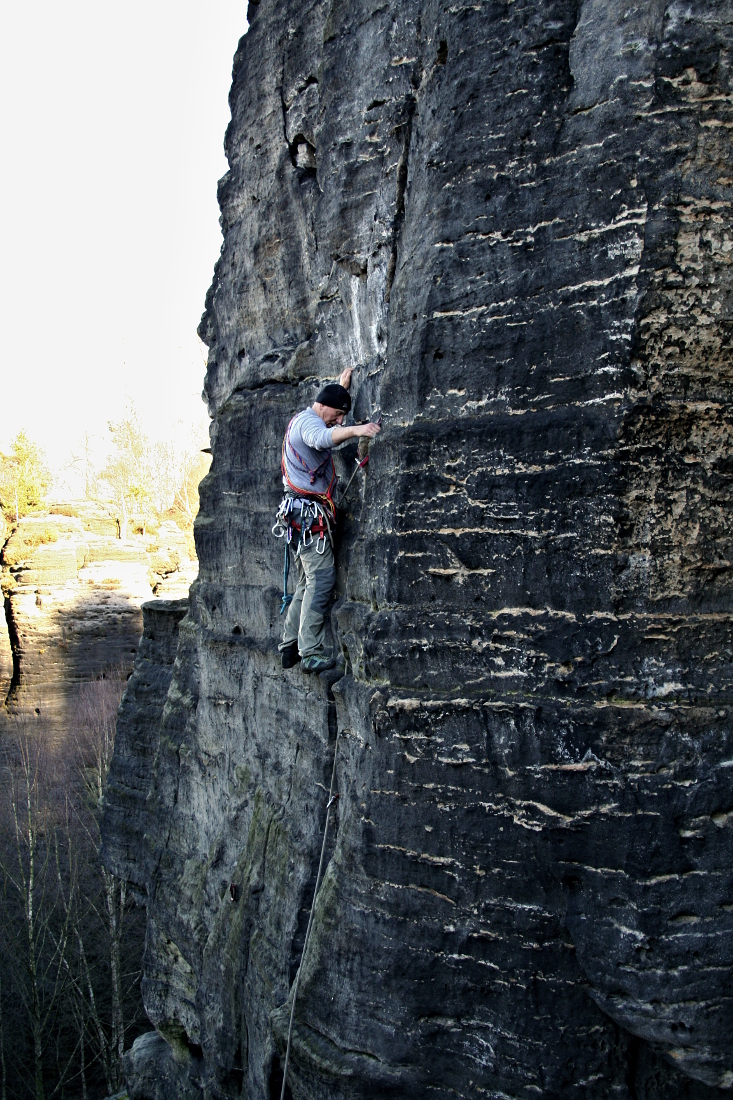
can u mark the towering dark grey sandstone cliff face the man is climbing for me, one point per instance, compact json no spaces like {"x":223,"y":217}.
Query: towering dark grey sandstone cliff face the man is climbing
{"x":513,"y":221}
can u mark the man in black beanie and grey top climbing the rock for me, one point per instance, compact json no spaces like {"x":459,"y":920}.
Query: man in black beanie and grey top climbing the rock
{"x":308,"y":520}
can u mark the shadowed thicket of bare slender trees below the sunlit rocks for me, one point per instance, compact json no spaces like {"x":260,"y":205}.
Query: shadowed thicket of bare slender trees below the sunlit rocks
{"x":71,"y":938}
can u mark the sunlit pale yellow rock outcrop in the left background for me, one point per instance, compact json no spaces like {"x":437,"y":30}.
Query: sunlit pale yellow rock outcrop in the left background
{"x":73,"y":593}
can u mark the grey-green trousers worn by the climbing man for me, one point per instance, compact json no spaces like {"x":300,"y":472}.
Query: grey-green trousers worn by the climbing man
{"x":307,"y":614}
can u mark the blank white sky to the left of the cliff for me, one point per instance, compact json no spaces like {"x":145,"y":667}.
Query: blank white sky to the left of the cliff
{"x":112,"y":131}
